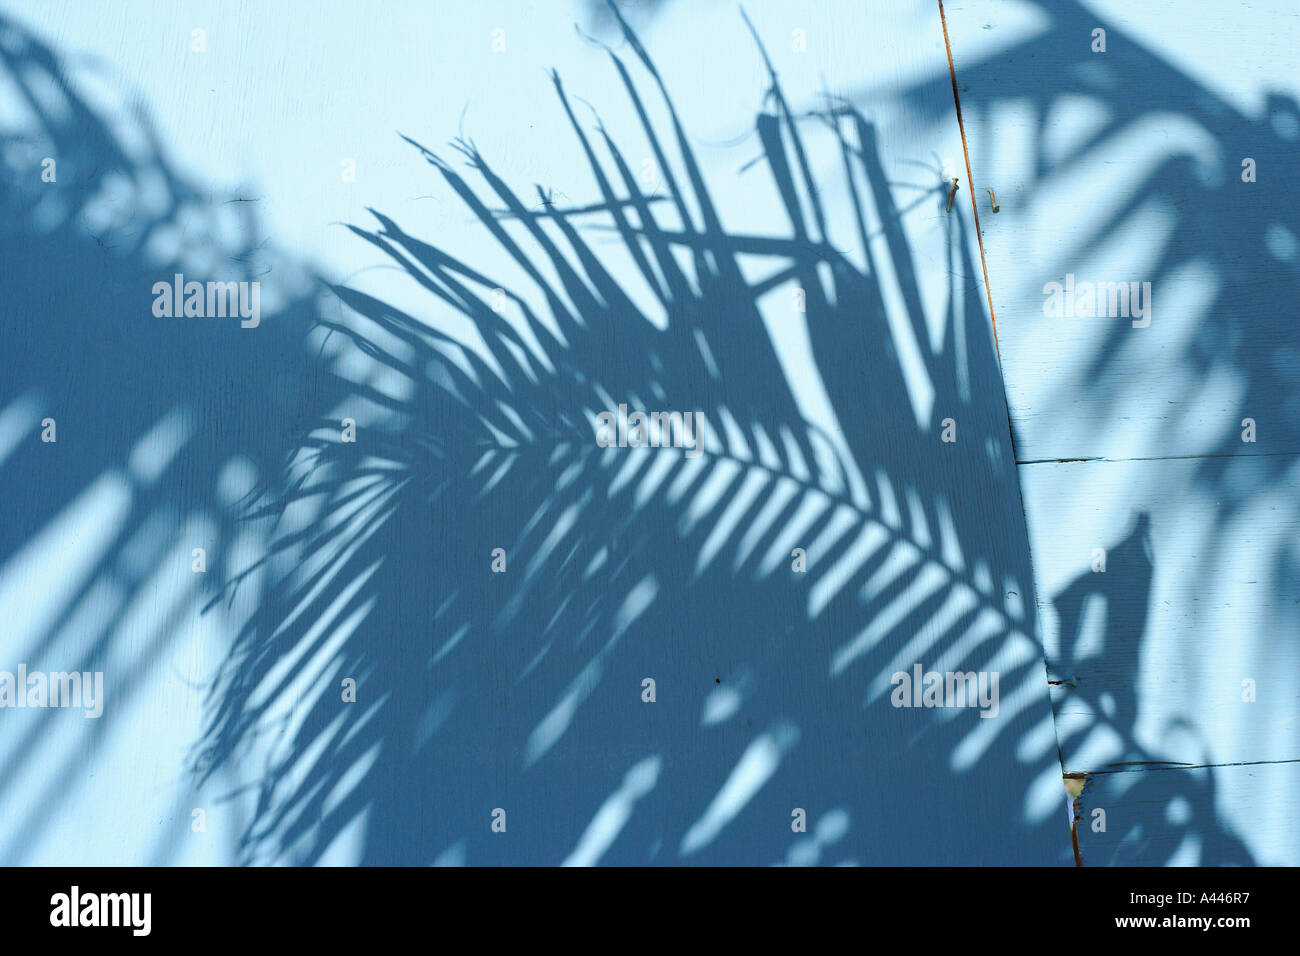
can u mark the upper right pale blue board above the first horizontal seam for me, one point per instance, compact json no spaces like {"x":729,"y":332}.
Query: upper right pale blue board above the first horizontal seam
{"x":1126,"y":167}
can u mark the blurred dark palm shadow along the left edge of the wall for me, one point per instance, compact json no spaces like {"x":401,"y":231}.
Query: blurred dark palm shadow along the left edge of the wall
{"x":146,"y":465}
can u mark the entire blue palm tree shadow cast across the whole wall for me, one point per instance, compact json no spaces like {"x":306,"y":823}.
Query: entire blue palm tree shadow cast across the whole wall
{"x":523,"y":690}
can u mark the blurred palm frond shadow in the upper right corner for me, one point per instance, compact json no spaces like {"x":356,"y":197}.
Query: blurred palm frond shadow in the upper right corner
{"x":1216,"y":220}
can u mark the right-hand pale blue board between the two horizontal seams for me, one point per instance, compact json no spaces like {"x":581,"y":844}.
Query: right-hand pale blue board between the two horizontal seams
{"x":1194,"y":602}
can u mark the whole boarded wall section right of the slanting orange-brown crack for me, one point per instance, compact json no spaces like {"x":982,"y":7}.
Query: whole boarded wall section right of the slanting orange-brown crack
{"x":1121,"y":142}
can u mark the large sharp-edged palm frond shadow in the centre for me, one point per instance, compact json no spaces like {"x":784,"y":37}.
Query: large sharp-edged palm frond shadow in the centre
{"x":523,"y":690}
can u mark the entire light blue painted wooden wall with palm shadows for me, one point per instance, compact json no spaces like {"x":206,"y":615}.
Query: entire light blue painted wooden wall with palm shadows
{"x":363,"y":579}
